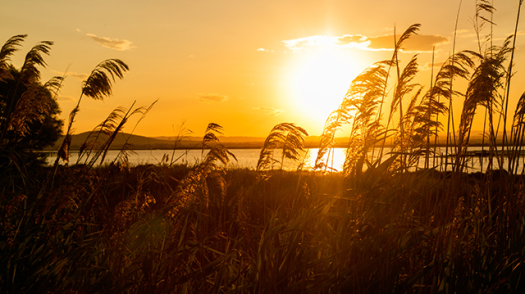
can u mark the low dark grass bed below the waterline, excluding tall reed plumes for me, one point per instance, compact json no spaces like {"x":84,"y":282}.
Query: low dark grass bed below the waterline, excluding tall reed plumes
{"x":160,"y":229}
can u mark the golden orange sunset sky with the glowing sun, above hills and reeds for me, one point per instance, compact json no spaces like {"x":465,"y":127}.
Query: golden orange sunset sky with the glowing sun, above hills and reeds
{"x":246,"y":65}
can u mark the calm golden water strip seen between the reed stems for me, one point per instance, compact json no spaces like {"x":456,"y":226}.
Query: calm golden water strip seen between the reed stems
{"x":247,"y":158}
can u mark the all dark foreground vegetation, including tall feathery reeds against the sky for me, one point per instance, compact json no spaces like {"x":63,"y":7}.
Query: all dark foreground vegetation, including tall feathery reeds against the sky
{"x":381,"y":225}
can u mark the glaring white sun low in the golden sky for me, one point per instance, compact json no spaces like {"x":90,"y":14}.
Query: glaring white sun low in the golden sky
{"x":318,"y":81}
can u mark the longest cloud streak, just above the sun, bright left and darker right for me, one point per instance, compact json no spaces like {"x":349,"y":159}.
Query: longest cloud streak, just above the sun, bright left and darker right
{"x":416,"y":43}
